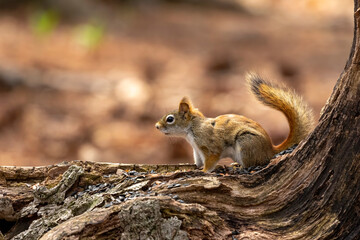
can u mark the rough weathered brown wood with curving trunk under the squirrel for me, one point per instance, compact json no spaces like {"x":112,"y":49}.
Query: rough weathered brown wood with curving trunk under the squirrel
{"x":312,"y":193}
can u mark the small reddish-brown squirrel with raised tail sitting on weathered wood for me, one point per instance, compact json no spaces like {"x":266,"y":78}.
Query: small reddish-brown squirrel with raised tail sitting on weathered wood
{"x":236,"y":136}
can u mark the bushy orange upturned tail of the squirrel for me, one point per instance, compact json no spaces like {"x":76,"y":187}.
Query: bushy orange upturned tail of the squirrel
{"x":298,"y":114}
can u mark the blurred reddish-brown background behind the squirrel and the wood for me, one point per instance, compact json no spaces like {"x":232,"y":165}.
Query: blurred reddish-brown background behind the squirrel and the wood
{"x":88,"y":79}
